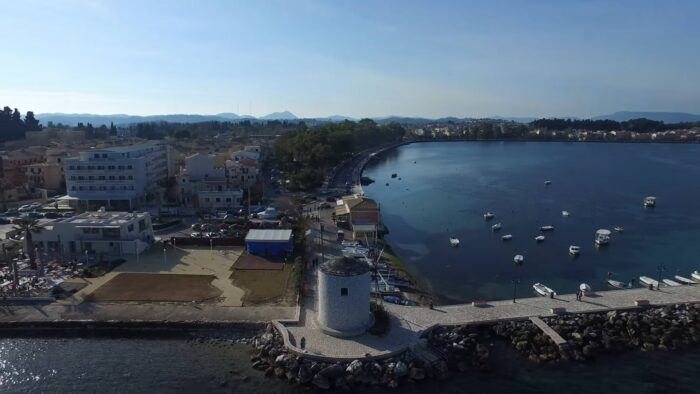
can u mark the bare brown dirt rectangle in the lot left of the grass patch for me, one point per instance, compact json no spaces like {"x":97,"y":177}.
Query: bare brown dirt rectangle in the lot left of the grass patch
{"x":156,"y":287}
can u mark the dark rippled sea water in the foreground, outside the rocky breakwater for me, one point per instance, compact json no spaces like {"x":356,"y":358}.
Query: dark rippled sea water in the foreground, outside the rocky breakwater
{"x":50,"y":365}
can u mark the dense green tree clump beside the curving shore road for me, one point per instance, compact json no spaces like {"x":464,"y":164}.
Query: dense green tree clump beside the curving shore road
{"x":307,"y":153}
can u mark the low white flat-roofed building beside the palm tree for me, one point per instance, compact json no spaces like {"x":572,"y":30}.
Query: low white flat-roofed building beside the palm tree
{"x":98,"y":233}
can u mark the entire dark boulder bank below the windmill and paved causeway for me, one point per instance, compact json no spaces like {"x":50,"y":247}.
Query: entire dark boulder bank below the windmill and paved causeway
{"x":465,"y":348}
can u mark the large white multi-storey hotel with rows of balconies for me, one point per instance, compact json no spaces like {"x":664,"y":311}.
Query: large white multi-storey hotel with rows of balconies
{"x":121,"y":177}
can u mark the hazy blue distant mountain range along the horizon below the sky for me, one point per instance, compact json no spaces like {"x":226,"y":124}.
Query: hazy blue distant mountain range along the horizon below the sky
{"x":123,"y":119}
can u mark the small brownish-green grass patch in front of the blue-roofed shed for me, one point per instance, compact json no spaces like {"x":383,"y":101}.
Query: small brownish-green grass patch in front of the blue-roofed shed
{"x":263,"y":287}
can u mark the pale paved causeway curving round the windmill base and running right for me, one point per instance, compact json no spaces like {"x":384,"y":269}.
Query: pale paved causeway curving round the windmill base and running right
{"x":409,"y":323}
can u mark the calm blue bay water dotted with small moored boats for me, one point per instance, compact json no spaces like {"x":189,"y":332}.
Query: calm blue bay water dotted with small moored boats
{"x":446,"y":187}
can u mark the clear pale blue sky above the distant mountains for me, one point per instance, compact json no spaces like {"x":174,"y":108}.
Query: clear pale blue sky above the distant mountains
{"x":354,"y":58}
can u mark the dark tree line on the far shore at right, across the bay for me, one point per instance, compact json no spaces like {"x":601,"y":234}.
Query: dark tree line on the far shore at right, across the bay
{"x":641,"y":125}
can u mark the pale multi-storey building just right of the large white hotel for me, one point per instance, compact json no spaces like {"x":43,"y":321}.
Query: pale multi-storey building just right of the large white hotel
{"x":204,"y":185}
